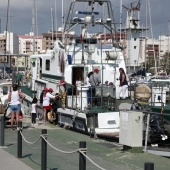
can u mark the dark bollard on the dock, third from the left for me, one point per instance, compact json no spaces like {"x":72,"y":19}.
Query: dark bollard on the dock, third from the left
{"x":44,"y":151}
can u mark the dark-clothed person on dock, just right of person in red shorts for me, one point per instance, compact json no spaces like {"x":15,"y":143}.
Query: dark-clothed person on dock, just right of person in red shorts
{"x":55,"y":105}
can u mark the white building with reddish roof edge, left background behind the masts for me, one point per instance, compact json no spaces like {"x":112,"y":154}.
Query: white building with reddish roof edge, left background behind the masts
{"x":26,"y":44}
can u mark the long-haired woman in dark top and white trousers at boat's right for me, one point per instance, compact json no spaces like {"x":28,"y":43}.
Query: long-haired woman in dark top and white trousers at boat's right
{"x":123,"y":83}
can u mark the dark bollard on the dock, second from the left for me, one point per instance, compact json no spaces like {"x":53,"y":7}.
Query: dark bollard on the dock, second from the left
{"x":19,"y":152}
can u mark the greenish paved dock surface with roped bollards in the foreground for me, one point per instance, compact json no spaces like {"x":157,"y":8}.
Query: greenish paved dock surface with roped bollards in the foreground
{"x":107,"y":154}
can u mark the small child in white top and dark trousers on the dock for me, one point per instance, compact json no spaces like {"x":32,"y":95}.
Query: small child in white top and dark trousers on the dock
{"x":34,"y":111}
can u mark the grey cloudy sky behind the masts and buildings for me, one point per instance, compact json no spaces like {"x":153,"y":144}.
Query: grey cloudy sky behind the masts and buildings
{"x":21,"y":15}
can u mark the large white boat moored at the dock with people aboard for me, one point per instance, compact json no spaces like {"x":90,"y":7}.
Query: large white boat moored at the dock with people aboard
{"x":69,"y":62}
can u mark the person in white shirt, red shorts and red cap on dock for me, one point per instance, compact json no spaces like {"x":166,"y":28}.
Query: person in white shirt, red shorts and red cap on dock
{"x":46,"y":101}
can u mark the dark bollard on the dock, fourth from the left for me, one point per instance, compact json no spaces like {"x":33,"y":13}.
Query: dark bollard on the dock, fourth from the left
{"x":82,"y":158}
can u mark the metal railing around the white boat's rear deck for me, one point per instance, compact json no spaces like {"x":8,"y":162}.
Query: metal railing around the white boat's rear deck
{"x":92,"y":99}
